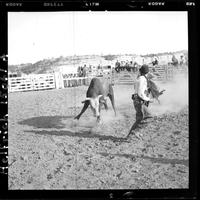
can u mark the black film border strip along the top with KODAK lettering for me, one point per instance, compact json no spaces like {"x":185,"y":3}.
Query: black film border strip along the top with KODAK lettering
{"x":96,"y":5}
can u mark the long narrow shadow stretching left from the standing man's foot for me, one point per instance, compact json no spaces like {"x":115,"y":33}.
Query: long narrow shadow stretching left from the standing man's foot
{"x":80,"y":134}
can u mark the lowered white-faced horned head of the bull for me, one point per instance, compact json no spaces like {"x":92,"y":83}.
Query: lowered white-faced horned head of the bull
{"x":95,"y":103}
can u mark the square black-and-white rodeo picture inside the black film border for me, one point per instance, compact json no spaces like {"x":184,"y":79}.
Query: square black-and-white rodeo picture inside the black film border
{"x":98,"y":100}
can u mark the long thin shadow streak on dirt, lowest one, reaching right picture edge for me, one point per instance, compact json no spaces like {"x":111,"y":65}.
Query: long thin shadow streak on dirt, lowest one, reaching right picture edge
{"x":152,"y":159}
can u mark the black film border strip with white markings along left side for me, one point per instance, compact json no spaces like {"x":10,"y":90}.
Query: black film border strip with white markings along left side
{"x":3,"y":102}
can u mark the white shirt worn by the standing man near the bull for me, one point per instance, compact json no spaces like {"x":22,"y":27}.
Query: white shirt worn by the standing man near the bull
{"x":141,"y":88}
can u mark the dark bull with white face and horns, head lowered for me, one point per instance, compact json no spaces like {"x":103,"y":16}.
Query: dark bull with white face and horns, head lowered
{"x":95,"y":97}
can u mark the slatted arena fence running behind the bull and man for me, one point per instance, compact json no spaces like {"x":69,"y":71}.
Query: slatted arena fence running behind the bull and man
{"x":58,"y":81}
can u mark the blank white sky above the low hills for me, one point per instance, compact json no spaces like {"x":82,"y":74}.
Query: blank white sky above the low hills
{"x":34,"y":36}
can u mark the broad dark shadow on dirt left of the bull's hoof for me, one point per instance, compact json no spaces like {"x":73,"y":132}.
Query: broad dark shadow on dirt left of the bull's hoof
{"x":46,"y":121}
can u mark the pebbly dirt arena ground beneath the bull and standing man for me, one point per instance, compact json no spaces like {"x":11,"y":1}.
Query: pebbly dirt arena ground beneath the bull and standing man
{"x":48,"y":149}
